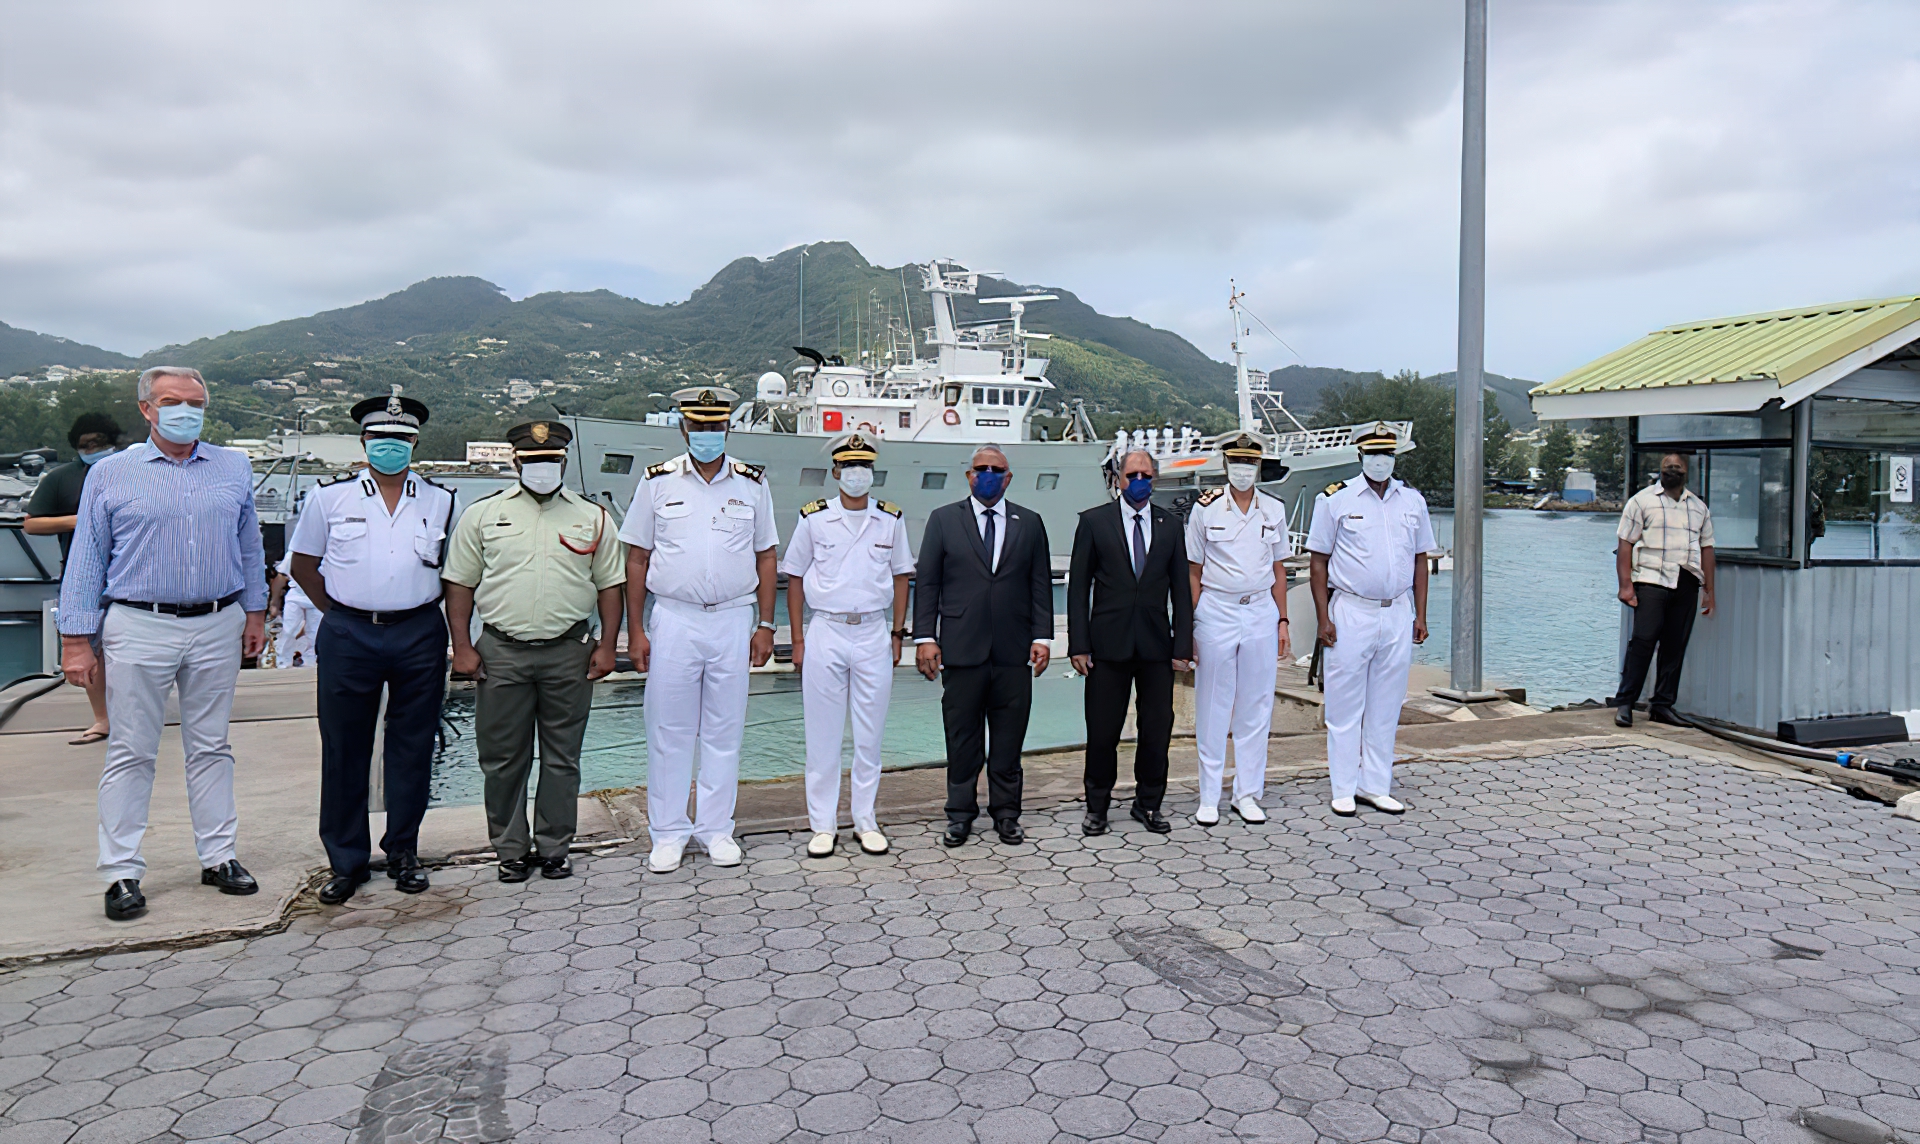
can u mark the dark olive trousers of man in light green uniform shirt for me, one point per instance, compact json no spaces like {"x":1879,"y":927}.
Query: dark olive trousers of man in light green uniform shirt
{"x":533,"y":686}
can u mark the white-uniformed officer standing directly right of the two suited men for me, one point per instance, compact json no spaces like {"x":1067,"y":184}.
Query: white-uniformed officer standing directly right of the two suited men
{"x":1236,"y":546}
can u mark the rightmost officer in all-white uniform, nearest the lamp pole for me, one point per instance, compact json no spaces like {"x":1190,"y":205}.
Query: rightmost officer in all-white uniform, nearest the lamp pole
{"x":1370,"y":588}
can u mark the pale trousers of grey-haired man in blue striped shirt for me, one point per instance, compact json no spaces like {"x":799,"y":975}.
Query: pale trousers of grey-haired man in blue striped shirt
{"x":147,"y":657}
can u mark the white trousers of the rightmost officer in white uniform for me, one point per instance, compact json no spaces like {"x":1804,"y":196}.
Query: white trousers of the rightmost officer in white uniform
{"x":1366,"y":677}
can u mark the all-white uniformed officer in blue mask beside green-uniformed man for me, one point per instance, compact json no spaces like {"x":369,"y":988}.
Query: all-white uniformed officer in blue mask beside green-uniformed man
{"x":702,"y":540}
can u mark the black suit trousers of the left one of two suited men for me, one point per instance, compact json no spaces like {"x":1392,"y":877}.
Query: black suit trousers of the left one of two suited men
{"x":984,"y":705}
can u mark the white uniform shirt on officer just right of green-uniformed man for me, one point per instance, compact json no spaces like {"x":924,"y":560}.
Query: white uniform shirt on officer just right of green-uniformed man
{"x":704,"y":536}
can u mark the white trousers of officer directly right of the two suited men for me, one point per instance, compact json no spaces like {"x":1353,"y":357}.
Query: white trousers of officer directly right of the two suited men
{"x":1237,"y":652}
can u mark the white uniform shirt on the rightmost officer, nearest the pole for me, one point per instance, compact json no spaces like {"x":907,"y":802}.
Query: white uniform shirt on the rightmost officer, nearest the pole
{"x":1372,"y":542}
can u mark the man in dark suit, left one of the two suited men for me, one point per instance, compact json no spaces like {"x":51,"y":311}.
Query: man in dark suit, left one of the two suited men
{"x":984,"y":613}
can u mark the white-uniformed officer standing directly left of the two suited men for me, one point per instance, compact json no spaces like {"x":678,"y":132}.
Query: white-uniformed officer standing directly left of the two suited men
{"x":848,"y":560}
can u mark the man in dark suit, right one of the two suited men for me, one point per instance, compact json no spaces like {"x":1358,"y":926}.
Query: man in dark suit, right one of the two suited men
{"x":1130,"y":565}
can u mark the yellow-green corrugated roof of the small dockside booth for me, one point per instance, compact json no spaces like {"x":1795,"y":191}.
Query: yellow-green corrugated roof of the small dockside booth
{"x":1783,"y":346}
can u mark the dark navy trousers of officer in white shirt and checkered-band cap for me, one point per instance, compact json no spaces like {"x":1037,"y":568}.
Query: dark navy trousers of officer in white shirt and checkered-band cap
{"x":358,"y":659}
